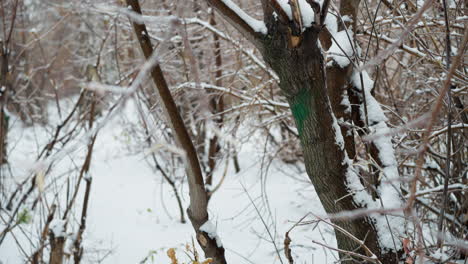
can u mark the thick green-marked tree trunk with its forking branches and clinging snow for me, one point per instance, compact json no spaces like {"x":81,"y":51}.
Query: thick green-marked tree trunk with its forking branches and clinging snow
{"x":289,"y":43}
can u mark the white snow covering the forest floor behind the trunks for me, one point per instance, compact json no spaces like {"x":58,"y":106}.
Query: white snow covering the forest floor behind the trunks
{"x":133,"y":212}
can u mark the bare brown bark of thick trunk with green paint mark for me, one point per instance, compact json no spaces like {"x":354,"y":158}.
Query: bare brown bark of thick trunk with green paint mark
{"x":303,"y":80}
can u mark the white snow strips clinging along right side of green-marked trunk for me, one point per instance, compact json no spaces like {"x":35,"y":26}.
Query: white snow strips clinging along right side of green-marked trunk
{"x":388,"y":189}
